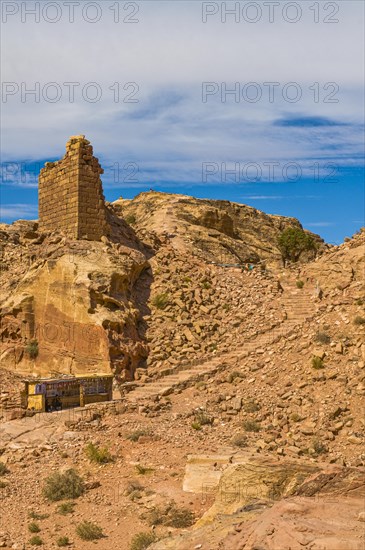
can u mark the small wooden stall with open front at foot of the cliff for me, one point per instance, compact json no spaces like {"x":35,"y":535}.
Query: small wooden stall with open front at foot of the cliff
{"x":48,"y":394}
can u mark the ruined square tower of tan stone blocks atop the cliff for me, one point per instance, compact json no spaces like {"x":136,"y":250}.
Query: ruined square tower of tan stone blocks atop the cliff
{"x":70,"y":193}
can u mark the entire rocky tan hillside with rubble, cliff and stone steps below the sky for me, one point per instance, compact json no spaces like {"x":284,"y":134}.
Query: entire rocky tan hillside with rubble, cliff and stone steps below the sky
{"x":239,"y":422}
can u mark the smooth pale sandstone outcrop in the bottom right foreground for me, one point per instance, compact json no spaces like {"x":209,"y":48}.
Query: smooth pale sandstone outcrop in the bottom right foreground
{"x":265,"y":504}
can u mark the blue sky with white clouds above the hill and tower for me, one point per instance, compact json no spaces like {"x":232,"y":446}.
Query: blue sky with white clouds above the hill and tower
{"x":184,"y":103}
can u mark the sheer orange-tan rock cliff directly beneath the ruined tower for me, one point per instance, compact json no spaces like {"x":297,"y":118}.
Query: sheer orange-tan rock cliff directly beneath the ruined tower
{"x":73,"y":309}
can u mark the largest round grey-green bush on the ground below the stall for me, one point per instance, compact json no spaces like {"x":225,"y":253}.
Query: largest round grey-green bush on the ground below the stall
{"x":62,"y":486}
